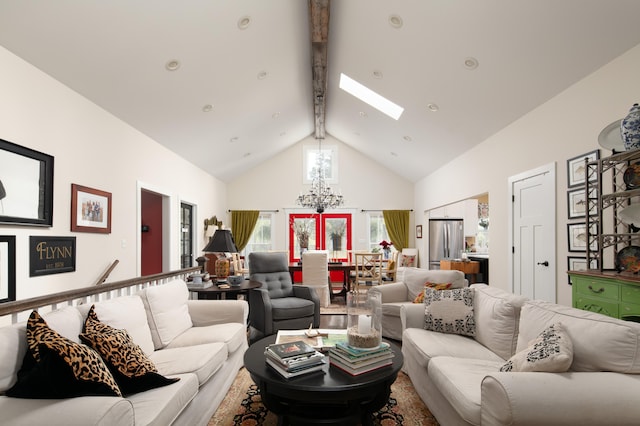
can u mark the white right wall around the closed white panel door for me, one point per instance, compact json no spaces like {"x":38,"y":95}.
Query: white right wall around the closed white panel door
{"x":564,"y":127}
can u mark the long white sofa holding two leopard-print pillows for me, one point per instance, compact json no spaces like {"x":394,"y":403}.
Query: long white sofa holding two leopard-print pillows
{"x":200,"y":341}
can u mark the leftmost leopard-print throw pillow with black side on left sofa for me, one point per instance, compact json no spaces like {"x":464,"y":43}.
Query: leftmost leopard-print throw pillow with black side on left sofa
{"x":56,"y":367}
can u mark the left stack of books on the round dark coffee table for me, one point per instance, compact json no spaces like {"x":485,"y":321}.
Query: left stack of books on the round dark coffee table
{"x":294,"y":359}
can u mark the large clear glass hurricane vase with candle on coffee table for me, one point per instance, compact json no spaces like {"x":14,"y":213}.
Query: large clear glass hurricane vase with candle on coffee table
{"x":364,"y":320}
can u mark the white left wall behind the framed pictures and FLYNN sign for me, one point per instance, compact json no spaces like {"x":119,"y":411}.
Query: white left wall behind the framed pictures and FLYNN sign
{"x":92,"y":148}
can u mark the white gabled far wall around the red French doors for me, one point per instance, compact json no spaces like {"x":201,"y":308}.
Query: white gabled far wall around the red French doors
{"x":364,"y":183}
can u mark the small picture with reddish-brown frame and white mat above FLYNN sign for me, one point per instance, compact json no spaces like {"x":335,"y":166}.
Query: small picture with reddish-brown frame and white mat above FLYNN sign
{"x":90,"y":210}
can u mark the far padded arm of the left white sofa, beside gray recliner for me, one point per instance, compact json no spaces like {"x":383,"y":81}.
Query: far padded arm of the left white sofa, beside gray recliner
{"x":210,"y":312}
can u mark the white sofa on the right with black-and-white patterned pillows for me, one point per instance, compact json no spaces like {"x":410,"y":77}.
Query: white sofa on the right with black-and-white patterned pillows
{"x":459,"y":377}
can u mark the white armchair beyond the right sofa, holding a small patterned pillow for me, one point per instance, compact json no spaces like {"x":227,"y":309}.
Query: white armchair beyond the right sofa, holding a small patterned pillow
{"x":409,"y":283}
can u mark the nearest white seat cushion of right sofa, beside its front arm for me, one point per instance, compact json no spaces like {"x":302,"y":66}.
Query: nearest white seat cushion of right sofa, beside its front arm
{"x":459,"y":381}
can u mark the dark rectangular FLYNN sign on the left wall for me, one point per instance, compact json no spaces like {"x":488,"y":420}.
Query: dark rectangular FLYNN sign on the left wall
{"x":51,"y":255}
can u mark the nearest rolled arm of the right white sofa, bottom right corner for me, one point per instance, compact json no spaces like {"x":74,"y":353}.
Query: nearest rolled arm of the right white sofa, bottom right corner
{"x":573,"y":398}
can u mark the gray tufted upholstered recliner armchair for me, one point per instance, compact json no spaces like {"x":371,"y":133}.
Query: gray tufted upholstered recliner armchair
{"x":278,"y":304}
